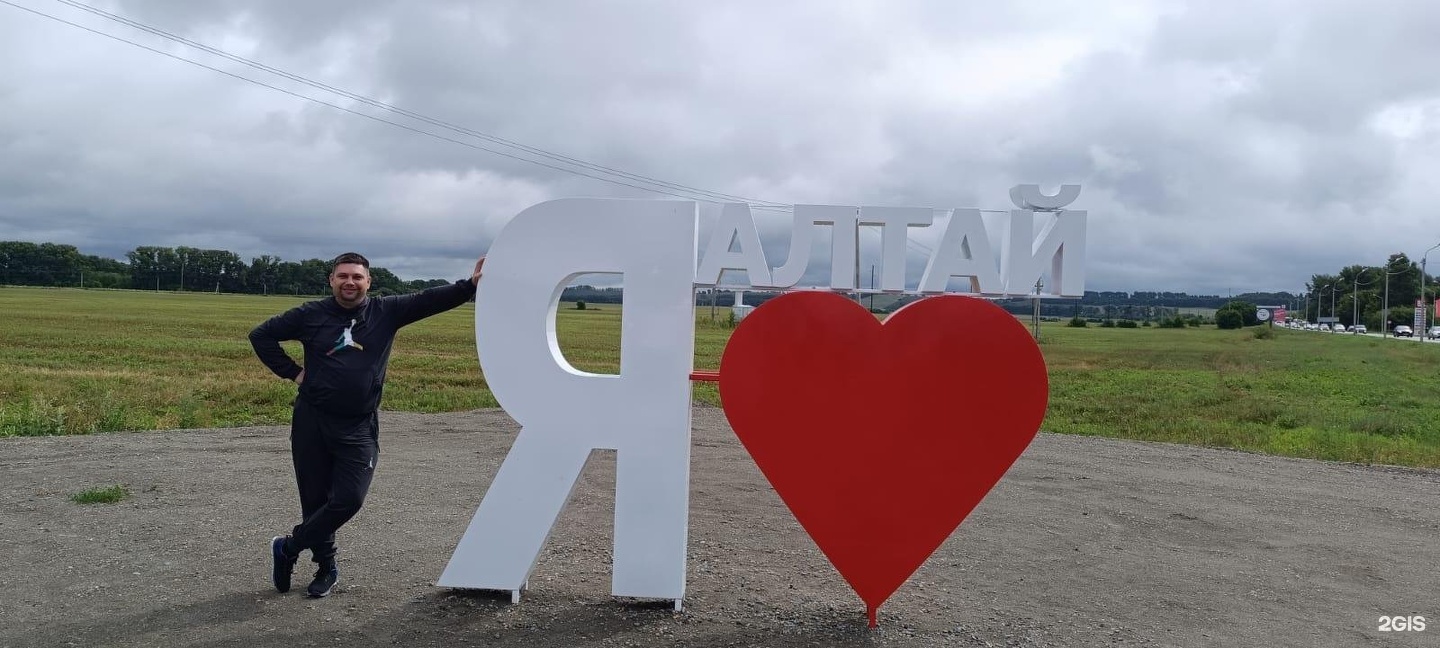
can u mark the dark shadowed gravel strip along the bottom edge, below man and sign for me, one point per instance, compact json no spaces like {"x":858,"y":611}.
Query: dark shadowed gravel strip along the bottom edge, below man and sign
{"x":453,"y":618}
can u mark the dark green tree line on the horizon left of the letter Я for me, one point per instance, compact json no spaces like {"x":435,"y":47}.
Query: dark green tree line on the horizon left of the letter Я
{"x":181,"y":269}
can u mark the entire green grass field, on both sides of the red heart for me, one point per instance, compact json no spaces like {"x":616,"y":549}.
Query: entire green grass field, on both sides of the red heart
{"x":78,"y":362}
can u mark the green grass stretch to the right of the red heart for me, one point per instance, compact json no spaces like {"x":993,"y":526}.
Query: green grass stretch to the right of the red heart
{"x":1301,"y":394}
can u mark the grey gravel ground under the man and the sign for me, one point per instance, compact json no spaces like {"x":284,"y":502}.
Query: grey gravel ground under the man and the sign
{"x":1085,"y":544}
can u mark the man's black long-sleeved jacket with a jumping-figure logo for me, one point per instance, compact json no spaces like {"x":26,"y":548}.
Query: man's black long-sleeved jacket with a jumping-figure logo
{"x":346,"y":377}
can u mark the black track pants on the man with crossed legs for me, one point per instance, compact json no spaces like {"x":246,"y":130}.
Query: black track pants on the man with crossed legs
{"x":335,"y":462}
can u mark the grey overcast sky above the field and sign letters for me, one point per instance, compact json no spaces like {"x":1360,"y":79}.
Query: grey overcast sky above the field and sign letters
{"x":1222,"y":146}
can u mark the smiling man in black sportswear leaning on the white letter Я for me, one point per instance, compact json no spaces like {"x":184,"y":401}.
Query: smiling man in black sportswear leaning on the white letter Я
{"x":335,"y":436}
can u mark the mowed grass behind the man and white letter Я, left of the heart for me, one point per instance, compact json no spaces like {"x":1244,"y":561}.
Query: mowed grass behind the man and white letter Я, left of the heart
{"x":78,"y":362}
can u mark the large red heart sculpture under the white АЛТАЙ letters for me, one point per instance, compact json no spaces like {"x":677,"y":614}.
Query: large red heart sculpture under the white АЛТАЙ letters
{"x":882,"y":438}
